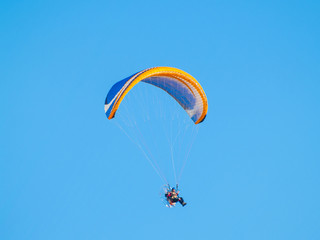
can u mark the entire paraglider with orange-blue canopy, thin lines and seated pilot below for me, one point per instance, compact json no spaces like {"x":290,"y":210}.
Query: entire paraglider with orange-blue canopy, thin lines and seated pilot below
{"x":186,"y":91}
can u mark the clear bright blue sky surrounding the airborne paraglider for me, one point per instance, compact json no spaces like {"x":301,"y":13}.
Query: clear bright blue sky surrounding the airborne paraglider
{"x":66,"y":172}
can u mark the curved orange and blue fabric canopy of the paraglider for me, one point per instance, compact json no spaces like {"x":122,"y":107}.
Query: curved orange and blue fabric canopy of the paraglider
{"x":180,"y":85}
